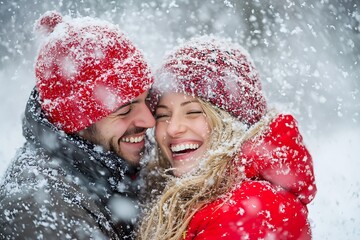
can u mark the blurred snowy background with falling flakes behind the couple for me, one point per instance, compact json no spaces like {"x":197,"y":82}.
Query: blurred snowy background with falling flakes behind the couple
{"x":308,"y":54}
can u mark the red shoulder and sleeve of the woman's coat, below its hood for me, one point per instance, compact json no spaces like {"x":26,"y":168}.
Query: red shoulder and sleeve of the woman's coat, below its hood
{"x":256,"y":210}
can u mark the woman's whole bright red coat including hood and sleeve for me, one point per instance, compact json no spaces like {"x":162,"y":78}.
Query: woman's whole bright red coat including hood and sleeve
{"x":271,"y":203}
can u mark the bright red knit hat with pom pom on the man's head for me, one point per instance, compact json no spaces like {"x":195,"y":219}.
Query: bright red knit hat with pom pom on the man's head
{"x":85,"y":70}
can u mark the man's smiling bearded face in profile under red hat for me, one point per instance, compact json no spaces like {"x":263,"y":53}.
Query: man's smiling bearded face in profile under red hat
{"x":123,"y":131}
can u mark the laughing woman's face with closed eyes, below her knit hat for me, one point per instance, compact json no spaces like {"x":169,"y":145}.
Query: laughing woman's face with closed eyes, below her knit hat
{"x":182,"y":131}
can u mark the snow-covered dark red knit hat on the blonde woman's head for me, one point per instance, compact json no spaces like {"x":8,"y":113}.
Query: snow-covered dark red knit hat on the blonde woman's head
{"x":216,"y":71}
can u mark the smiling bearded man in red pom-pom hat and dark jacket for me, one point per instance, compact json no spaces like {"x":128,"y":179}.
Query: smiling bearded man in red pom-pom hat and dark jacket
{"x":85,"y":122}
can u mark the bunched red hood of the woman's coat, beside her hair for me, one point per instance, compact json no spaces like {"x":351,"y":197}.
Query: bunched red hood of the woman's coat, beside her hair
{"x":280,"y":157}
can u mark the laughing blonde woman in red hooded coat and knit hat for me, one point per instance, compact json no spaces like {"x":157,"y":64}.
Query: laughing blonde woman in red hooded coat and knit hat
{"x":234,"y":169}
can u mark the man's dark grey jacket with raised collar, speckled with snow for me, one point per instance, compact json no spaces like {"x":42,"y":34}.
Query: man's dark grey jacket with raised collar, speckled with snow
{"x":61,"y":187}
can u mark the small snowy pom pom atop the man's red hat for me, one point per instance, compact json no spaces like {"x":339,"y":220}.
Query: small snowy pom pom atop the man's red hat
{"x":47,"y":22}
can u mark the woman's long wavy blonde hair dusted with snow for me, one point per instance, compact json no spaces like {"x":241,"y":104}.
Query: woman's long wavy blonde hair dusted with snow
{"x":217,"y":174}
